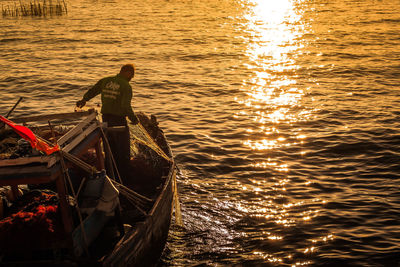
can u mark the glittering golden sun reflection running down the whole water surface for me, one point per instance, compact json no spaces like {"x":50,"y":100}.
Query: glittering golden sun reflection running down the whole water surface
{"x":273,"y":100}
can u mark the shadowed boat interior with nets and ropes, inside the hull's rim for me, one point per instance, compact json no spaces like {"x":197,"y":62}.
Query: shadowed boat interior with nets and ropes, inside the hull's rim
{"x":78,"y":204}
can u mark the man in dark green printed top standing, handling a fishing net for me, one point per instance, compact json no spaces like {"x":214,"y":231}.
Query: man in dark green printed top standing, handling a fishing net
{"x":116,"y":96}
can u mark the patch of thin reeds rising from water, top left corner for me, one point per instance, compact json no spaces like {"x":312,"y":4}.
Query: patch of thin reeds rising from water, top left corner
{"x":37,"y":8}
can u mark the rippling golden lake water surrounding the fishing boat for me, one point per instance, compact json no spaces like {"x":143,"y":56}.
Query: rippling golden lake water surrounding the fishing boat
{"x":283,"y":116}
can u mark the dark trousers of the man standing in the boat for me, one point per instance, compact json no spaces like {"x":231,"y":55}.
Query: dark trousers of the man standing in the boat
{"x":119,"y":143}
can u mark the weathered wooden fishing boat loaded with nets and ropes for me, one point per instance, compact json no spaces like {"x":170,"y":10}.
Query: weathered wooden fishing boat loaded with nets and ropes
{"x":132,"y":234}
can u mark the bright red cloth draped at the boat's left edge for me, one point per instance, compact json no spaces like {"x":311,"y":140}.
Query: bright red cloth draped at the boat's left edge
{"x":28,"y":135}
